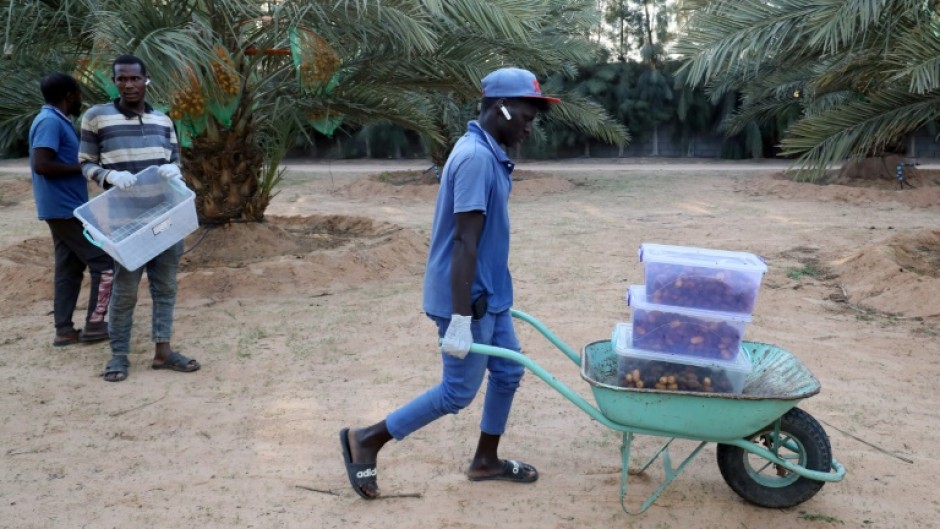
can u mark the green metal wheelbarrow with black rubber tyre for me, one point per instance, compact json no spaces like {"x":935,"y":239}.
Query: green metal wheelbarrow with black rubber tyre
{"x":769,"y":452}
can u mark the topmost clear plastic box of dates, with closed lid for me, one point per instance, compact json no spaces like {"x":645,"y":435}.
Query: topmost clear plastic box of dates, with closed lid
{"x":700,"y":278}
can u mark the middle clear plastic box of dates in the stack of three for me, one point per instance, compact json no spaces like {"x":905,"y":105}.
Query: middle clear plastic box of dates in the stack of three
{"x":685,"y":331}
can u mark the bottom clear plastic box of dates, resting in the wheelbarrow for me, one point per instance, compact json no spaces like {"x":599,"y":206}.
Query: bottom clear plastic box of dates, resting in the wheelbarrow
{"x":638,"y":368}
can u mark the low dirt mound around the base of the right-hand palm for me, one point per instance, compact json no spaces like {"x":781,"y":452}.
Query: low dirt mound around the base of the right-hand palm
{"x":861,"y":192}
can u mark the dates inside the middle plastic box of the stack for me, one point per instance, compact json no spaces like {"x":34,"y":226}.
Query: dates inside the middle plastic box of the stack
{"x":670,"y":332}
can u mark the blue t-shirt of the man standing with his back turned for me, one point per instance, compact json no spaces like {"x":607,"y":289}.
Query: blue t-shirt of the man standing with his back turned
{"x":56,"y":198}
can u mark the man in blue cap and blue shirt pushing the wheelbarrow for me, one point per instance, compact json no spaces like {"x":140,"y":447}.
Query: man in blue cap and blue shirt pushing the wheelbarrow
{"x":468,"y":289}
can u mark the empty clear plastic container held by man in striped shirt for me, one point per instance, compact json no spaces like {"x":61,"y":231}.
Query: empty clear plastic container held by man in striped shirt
{"x":136,"y":224}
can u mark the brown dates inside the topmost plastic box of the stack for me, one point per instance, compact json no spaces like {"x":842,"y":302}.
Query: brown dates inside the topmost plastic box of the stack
{"x":684,"y":286}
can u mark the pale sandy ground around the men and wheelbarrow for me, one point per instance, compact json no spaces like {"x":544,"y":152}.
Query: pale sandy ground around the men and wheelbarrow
{"x":313,"y":321}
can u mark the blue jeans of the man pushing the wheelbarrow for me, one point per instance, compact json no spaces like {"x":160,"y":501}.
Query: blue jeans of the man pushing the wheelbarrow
{"x":462,"y":380}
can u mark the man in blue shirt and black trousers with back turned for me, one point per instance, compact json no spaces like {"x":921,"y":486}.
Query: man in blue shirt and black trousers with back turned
{"x":59,"y":187}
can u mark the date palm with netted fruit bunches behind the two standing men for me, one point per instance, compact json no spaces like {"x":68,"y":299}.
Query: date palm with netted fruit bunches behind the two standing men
{"x":242,"y":78}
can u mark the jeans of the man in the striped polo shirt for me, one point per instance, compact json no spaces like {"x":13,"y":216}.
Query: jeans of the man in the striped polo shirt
{"x":161,"y":274}
